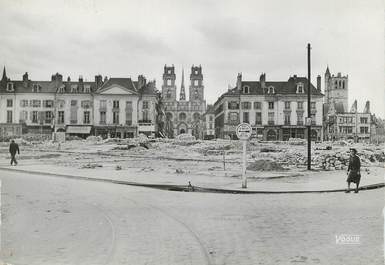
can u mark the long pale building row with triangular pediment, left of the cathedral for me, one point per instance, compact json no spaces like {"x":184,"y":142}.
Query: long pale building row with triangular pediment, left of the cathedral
{"x":117,"y":107}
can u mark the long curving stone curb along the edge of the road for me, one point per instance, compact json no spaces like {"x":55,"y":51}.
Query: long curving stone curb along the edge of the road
{"x":187,"y":188}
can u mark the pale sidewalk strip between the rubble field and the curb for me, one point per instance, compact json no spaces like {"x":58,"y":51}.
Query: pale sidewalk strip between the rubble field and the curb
{"x":298,"y":180}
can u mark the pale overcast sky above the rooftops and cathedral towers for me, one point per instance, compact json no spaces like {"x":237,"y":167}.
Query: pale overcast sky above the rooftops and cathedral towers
{"x":128,"y":38}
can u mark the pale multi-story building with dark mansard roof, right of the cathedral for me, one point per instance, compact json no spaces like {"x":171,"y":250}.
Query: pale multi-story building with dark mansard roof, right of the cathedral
{"x":277,"y":110}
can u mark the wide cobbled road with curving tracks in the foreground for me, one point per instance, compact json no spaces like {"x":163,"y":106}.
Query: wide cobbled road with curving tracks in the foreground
{"x":48,"y":220}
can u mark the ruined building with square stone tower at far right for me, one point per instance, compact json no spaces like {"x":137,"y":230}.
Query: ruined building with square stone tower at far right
{"x":339,"y":121}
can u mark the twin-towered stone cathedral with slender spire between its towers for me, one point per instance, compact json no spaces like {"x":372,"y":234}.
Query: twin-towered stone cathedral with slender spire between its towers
{"x":183,"y":115}
